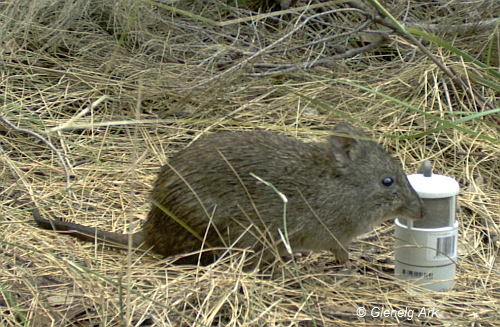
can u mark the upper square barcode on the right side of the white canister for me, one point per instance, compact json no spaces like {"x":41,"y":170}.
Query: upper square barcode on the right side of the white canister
{"x":441,"y":245}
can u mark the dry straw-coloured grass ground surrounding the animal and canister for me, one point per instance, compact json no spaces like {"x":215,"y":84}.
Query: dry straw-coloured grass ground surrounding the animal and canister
{"x":118,"y":86}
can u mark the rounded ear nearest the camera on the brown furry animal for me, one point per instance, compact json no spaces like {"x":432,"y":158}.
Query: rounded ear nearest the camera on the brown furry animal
{"x":346,"y":141}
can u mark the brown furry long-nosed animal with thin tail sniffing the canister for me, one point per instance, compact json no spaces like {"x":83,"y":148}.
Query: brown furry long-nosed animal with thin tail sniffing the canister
{"x":334,"y":188}
